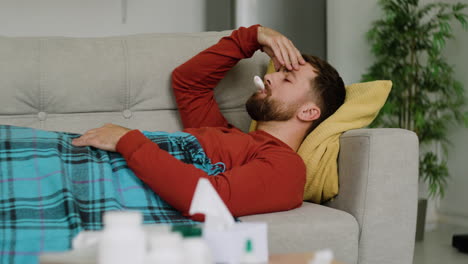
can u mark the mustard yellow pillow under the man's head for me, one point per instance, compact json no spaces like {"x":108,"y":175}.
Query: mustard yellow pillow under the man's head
{"x":320,"y":148}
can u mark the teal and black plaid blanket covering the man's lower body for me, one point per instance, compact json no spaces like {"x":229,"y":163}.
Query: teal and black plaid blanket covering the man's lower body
{"x":50,"y":190}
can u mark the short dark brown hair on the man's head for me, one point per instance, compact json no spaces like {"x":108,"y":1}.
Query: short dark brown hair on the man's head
{"x":327,"y":87}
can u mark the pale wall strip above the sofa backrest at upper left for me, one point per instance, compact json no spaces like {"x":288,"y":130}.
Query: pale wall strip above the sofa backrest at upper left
{"x":99,"y":17}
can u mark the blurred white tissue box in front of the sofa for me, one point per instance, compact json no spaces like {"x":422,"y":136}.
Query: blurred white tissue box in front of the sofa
{"x":229,"y":246}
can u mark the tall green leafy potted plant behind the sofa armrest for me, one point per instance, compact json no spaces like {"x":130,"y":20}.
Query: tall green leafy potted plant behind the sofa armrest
{"x":407,"y":42}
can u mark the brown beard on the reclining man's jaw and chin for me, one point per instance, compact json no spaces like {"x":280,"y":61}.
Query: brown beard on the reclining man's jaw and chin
{"x":269,"y":109}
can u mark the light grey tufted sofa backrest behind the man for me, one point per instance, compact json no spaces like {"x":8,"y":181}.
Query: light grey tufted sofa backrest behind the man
{"x":74,"y":84}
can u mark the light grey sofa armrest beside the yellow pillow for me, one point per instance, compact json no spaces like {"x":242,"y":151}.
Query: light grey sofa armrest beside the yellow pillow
{"x":378,"y":179}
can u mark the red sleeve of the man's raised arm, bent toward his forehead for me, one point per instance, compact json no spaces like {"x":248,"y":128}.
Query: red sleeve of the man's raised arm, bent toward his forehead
{"x":194,"y":81}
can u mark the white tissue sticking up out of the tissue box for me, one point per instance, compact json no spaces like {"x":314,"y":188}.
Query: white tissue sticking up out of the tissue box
{"x":207,"y":201}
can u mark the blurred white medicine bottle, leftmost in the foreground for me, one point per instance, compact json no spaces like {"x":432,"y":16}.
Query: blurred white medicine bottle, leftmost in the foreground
{"x":123,"y":239}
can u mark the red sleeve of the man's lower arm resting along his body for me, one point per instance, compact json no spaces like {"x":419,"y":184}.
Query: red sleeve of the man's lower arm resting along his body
{"x":261,"y":186}
